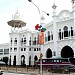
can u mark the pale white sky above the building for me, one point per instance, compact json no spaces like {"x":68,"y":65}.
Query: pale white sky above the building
{"x":28,"y":12}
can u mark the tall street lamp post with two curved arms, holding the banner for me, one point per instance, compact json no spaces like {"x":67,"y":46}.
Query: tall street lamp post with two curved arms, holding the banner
{"x":41,"y":55}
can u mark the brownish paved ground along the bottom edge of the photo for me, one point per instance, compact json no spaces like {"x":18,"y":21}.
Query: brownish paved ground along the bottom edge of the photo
{"x":24,"y":71}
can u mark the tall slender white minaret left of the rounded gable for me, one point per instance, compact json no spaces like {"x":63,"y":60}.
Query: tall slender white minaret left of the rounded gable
{"x":54,"y":31}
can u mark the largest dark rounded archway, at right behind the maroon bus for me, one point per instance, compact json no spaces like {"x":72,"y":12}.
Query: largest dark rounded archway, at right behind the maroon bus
{"x":67,"y":52}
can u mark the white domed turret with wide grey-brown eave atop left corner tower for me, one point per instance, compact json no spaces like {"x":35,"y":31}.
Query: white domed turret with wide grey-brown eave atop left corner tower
{"x":16,"y":21}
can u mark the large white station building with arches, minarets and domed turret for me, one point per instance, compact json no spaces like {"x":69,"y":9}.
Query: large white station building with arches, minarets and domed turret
{"x":59,"y":39}
